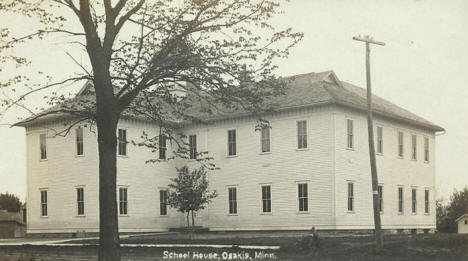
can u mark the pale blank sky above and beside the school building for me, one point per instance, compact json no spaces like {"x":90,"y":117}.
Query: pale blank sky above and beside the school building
{"x":422,"y":68}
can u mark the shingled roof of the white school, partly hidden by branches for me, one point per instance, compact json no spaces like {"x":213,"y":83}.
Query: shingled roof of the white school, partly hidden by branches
{"x":306,"y":90}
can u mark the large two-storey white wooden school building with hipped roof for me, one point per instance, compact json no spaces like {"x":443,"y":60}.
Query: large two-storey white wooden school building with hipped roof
{"x":310,"y":169}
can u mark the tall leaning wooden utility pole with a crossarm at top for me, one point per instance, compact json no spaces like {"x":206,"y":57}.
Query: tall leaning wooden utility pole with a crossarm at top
{"x":370,"y":127}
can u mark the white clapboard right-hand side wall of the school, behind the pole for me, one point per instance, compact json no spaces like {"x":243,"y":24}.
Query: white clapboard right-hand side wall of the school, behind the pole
{"x":353,"y":166}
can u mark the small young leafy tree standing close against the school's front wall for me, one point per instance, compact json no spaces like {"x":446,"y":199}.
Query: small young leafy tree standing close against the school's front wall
{"x":189,"y":192}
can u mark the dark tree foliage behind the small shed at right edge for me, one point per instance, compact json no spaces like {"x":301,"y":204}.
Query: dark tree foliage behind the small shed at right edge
{"x":447,"y":214}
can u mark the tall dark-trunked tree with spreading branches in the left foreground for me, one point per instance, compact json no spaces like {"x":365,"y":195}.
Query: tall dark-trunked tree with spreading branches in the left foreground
{"x":141,"y":52}
